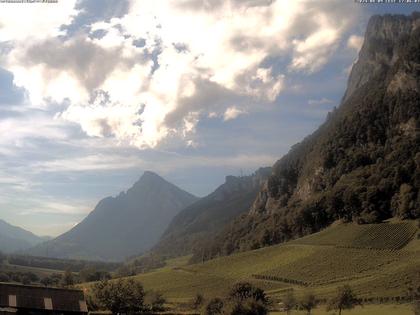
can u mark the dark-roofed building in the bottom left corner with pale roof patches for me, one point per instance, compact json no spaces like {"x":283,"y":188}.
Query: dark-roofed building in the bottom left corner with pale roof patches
{"x":33,"y":300}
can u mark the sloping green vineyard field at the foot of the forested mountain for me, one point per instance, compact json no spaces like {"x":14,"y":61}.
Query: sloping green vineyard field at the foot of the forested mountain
{"x":378,"y":261}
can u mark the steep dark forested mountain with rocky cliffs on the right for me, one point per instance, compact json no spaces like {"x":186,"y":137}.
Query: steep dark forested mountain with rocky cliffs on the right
{"x":361,"y":165}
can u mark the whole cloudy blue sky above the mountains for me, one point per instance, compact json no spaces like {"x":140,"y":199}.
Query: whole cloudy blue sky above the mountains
{"x":93,"y":93}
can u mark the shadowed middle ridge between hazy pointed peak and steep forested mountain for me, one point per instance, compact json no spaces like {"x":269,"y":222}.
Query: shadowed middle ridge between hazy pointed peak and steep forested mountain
{"x":202,"y":220}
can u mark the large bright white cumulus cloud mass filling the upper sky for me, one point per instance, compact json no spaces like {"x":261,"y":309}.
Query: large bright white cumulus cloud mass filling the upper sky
{"x":155,"y":68}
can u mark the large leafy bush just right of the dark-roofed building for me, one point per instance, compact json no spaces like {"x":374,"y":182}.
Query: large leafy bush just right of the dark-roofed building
{"x":120,"y":296}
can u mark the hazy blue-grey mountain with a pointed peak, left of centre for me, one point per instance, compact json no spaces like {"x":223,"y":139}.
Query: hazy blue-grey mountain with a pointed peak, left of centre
{"x":121,"y":226}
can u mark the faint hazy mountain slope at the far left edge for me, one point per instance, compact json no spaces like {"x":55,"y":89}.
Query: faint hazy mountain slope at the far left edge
{"x":13,"y":238}
